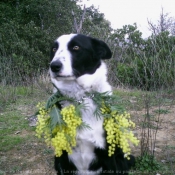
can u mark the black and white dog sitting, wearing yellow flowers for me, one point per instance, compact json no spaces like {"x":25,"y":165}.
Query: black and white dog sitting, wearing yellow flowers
{"x":77,"y":67}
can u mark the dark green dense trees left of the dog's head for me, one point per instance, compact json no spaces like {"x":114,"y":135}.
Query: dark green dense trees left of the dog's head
{"x":27,"y":29}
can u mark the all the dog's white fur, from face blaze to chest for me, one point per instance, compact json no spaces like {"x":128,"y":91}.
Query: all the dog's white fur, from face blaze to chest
{"x":87,"y":139}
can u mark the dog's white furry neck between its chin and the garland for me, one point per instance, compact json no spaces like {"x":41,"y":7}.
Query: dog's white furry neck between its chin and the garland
{"x":86,"y":83}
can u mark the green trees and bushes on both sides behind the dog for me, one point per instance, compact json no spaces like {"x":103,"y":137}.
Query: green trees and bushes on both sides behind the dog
{"x":28,"y":27}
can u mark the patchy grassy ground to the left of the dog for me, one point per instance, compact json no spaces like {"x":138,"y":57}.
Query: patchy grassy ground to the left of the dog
{"x":18,"y":142}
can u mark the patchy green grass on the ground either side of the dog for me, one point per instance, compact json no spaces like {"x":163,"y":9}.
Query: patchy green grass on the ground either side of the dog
{"x":21,"y":151}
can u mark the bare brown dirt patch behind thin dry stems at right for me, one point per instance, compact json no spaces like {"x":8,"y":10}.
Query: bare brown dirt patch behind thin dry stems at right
{"x":165,"y":136}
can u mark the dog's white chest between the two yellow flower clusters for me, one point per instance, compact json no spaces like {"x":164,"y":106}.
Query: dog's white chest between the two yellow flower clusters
{"x":88,"y":139}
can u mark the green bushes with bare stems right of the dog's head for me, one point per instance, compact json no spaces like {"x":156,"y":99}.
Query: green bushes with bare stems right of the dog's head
{"x":147,"y":64}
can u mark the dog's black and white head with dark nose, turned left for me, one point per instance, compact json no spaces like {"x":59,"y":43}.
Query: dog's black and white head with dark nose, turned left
{"x":75,"y":55}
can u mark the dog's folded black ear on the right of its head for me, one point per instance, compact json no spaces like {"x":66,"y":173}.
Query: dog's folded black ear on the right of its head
{"x":101,"y":49}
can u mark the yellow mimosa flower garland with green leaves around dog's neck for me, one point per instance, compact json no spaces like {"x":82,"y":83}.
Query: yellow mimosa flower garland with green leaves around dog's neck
{"x":59,"y":127}
